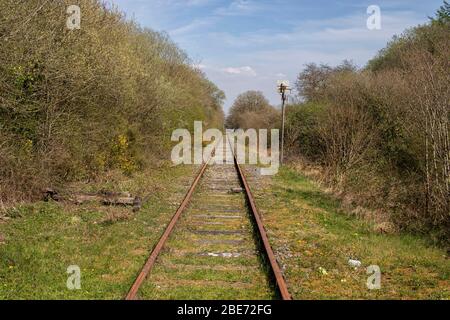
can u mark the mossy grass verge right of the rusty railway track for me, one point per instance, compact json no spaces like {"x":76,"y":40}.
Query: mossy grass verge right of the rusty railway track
{"x":309,"y":231}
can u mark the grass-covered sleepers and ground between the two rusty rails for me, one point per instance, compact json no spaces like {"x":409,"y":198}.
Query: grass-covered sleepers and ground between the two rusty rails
{"x":192,"y":265}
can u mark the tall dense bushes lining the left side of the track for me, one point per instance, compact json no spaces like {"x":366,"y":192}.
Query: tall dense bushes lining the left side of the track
{"x":77,"y":103}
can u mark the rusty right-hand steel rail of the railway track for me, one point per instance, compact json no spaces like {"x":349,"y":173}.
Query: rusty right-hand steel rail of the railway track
{"x":275,"y":268}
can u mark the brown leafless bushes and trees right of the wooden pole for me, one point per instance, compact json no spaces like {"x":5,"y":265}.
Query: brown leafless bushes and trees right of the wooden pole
{"x":381,"y":134}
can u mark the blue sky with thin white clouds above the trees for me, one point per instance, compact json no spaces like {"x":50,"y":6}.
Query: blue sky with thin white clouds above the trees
{"x":250,"y":44}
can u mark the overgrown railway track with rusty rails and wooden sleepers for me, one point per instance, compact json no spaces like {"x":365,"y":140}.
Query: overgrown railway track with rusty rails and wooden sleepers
{"x":215,"y":246}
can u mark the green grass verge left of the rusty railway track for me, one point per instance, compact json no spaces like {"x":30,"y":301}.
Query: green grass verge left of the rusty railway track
{"x":45,"y":238}
